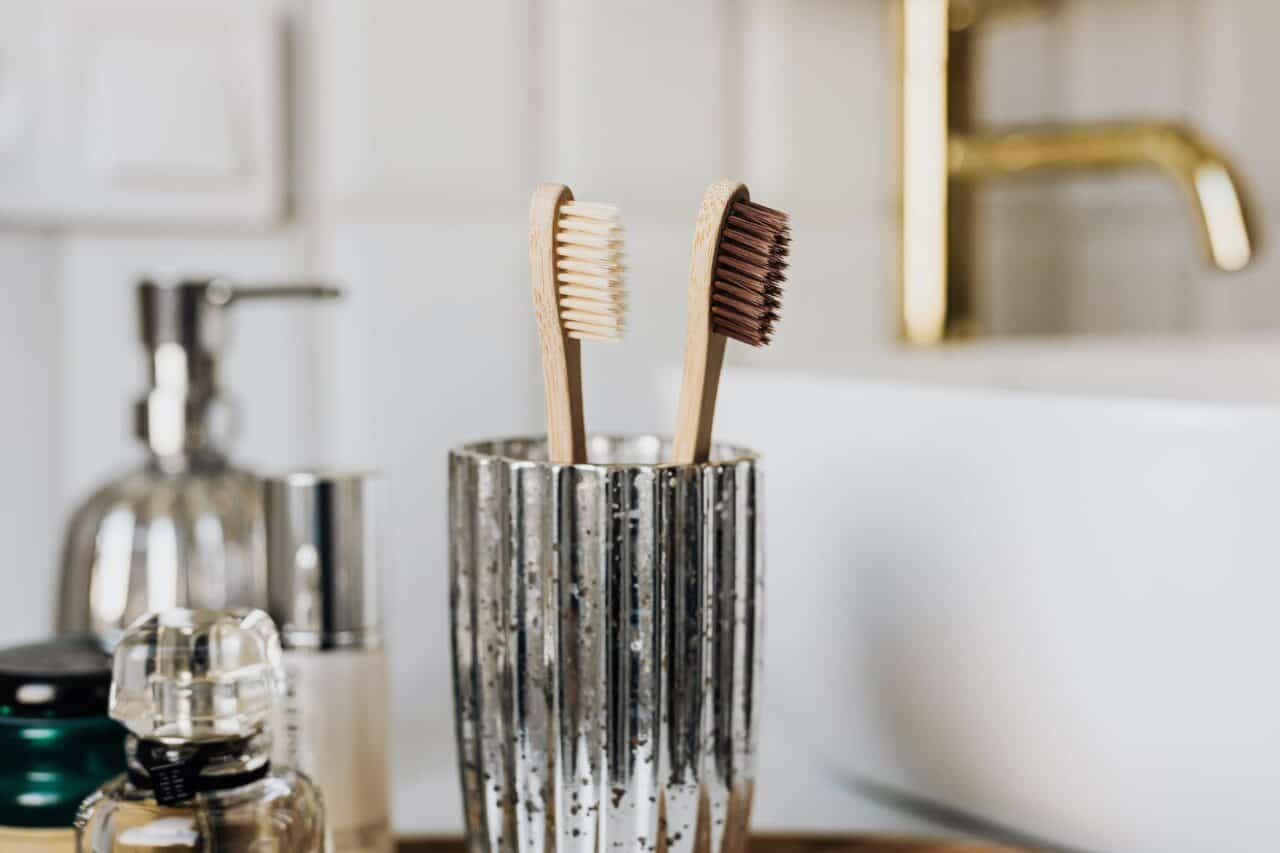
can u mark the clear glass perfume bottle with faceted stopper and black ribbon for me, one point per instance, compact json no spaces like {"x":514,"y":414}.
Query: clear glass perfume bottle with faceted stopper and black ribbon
{"x":199,"y":691}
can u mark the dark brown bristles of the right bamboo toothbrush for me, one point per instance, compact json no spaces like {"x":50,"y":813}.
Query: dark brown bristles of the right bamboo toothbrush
{"x":751,"y":270}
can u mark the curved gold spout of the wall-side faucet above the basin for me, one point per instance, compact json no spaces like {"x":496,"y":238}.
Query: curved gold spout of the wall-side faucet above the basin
{"x":1206,"y":177}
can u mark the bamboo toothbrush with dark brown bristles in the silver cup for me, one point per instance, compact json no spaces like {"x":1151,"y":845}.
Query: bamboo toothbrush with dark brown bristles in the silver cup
{"x":735,"y":291}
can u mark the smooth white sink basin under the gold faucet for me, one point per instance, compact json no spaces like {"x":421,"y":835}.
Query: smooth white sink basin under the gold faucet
{"x":1055,"y":613}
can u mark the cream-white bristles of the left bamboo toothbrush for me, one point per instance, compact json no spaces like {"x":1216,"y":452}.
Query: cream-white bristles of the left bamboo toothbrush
{"x":589,"y":273}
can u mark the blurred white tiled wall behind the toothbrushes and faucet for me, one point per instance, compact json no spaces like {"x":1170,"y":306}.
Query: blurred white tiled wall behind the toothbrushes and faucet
{"x":418,"y":131}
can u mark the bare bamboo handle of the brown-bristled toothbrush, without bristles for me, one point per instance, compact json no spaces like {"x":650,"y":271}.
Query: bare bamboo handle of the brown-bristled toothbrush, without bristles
{"x":705,"y":350}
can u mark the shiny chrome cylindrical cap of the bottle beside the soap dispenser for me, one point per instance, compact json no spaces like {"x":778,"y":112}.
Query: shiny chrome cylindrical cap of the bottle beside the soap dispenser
{"x":322,"y":559}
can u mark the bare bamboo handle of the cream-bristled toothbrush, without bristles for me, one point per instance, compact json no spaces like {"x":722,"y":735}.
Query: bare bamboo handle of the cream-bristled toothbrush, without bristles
{"x":563,"y":362}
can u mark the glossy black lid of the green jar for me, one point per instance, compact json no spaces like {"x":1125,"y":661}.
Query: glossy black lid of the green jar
{"x":61,"y":678}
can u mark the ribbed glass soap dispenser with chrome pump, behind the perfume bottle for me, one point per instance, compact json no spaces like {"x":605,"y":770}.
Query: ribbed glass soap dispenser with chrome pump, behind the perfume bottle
{"x":185,"y":530}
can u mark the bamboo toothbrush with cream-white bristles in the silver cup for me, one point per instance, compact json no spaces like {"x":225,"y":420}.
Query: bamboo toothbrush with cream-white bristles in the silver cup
{"x":575,"y":262}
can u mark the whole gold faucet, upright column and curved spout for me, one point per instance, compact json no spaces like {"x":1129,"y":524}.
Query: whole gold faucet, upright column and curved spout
{"x":943,"y":153}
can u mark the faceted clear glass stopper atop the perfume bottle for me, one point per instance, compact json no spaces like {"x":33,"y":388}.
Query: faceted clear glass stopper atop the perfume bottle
{"x":198,"y":674}
